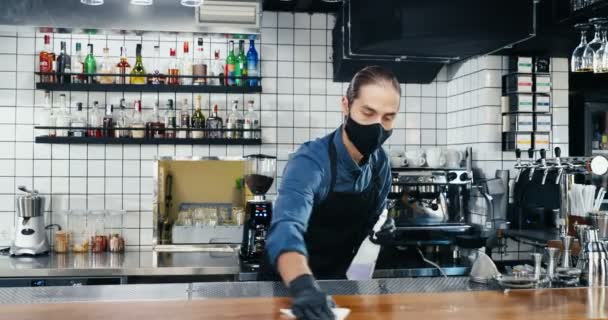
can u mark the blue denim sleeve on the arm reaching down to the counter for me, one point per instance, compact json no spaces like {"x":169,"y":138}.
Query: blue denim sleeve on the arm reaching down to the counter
{"x":301,"y":179}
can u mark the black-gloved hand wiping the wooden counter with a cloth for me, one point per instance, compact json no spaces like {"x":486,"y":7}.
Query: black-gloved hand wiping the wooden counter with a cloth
{"x":309,"y":302}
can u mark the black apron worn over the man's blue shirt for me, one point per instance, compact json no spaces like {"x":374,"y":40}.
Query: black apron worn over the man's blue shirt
{"x":336,"y":228}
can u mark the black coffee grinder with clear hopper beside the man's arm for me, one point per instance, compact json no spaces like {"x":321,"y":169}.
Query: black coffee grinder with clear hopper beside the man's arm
{"x":260,"y":171}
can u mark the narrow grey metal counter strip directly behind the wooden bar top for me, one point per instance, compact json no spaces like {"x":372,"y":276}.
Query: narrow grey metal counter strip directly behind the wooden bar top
{"x":193,"y":291}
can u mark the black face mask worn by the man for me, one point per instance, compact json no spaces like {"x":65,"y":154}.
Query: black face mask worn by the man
{"x":366,"y":138}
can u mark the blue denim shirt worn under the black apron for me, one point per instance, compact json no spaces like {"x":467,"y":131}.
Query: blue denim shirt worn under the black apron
{"x":306,"y":183}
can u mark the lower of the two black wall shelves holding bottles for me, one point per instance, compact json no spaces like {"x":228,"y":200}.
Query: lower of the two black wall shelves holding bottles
{"x":146,"y":141}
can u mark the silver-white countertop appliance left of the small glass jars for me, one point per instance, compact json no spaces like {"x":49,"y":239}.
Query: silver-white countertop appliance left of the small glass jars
{"x":30,"y":234}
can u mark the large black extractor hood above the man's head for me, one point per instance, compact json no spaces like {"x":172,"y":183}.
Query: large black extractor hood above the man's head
{"x":416,"y":38}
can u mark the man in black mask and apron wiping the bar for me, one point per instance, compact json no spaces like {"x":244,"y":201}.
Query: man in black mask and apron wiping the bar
{"x":332,"y":193}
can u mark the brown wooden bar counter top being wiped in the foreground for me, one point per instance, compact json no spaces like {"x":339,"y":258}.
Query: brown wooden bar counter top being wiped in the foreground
{"x":546,"y":304}
